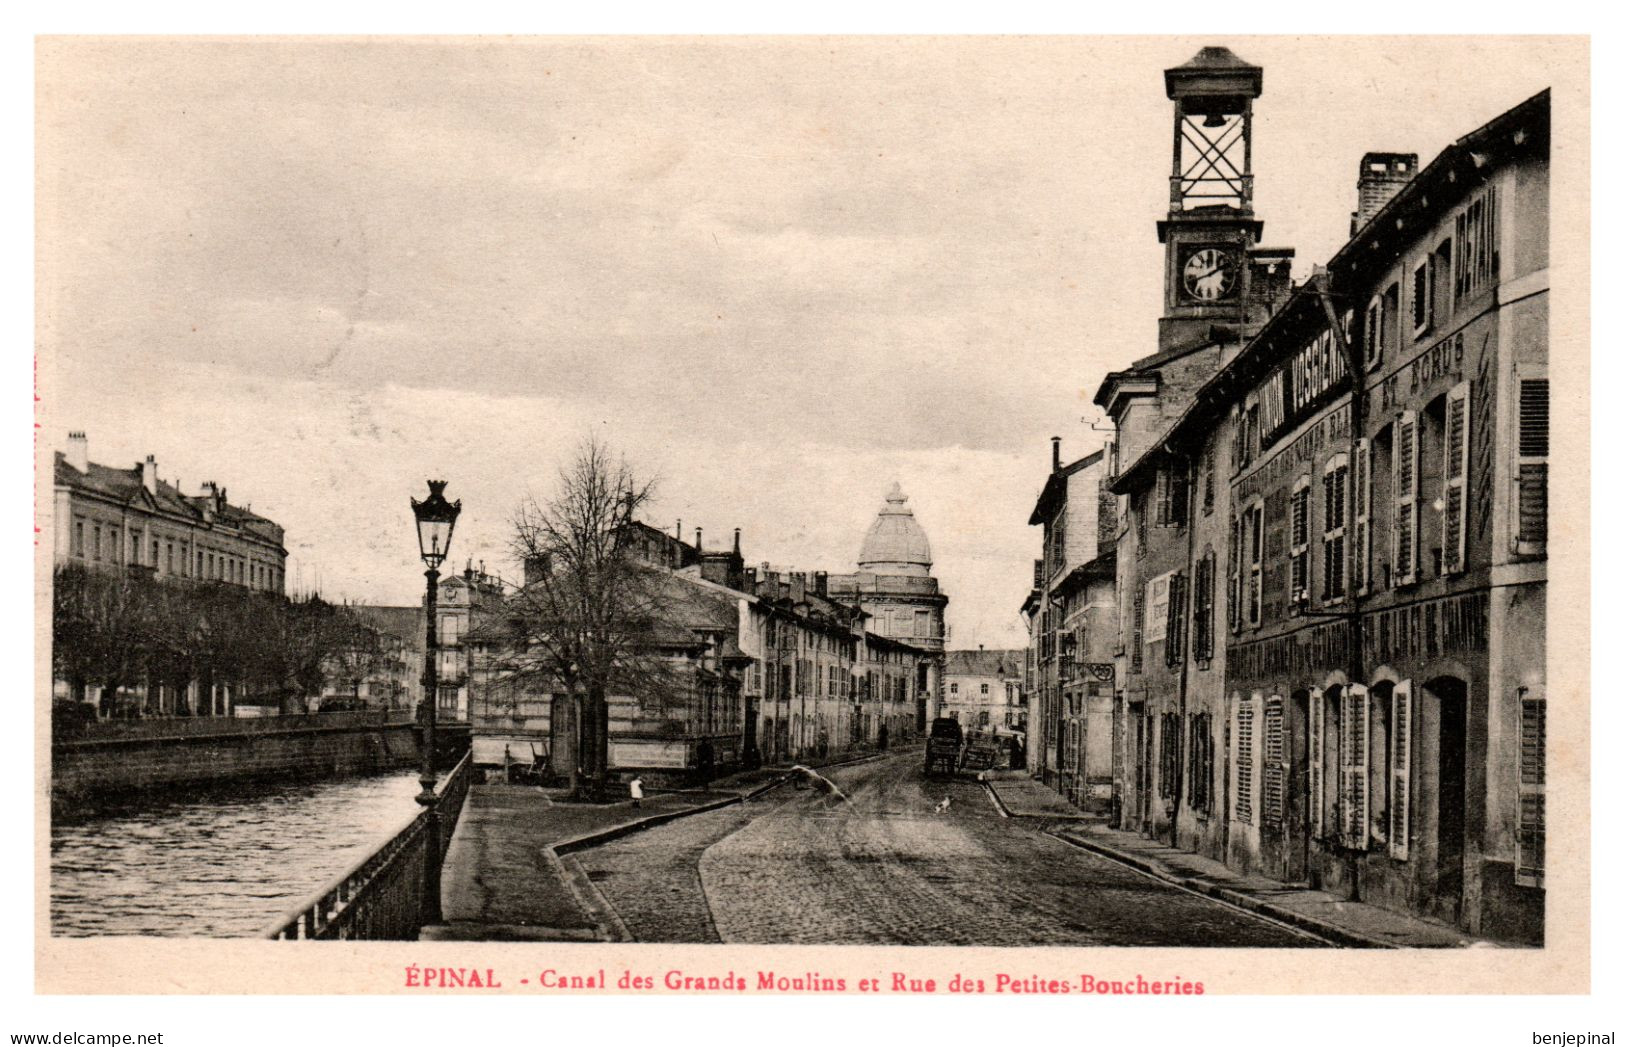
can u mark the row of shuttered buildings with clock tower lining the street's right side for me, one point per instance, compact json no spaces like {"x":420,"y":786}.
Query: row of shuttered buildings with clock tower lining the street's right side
{"x":1293,"y":617}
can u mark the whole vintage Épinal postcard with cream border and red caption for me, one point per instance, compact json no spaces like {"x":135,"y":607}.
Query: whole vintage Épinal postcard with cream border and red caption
{"x":1070,"y":516}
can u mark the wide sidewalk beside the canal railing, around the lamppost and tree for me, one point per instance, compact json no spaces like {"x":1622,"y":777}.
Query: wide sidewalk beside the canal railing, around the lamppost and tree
{"x":505,"y":879}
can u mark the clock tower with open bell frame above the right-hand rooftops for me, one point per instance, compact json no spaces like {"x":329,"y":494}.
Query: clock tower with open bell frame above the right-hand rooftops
{"x":1210,"y":230}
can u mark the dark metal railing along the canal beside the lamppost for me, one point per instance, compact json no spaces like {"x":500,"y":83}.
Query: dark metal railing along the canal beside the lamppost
{"x":383,"y":897}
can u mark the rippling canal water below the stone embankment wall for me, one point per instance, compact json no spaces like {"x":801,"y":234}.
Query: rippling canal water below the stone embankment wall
{"x":222,"y":864}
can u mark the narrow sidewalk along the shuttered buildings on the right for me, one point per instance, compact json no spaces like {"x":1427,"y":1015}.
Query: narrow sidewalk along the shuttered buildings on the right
{"x":1351,"y":924}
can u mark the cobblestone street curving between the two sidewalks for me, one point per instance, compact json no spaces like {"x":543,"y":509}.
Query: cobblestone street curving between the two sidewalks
{"x":888,"y":869}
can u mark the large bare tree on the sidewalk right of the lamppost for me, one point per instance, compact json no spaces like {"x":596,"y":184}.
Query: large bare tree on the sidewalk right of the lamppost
{"x":589,"y":615}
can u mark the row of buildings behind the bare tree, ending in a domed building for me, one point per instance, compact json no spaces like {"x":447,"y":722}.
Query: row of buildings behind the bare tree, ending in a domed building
{"x":756,"y":666}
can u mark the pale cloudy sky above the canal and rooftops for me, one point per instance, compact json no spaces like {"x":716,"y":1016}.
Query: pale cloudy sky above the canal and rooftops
{"x":776,"y":274}
